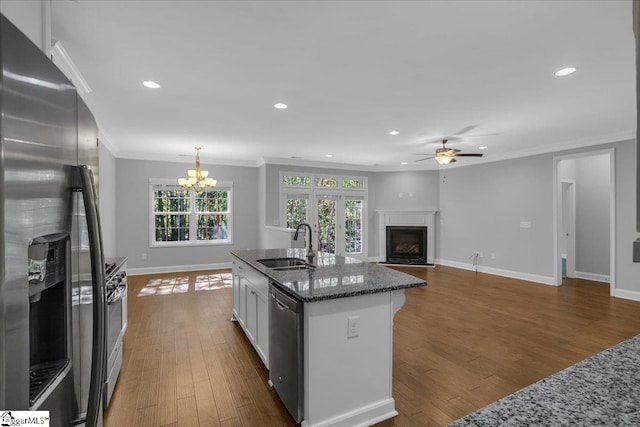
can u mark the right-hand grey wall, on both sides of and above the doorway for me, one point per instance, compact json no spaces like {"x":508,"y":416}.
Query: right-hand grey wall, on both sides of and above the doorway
{"x":481,"y":207}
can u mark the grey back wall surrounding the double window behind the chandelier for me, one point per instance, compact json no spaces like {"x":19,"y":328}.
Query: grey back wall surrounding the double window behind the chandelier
{"x":132,"y":216}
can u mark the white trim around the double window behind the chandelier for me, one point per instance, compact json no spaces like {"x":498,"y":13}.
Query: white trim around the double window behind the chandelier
{"x":221,"y":185}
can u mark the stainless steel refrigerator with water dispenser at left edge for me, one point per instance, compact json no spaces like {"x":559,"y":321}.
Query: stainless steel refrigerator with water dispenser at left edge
{"x":52,"y":292}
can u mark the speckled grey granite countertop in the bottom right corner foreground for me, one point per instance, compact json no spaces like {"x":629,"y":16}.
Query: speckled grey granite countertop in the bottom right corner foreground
{"x":601,"y":390}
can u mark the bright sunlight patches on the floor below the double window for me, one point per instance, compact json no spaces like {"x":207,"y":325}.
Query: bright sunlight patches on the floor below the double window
{"x":181,"y":284}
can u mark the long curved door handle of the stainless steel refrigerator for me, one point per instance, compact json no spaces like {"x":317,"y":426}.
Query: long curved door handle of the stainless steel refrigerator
{"x":84,"y":183}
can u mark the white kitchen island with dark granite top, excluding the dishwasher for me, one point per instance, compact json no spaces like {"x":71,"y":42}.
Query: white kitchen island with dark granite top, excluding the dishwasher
{"x":347,"y":321}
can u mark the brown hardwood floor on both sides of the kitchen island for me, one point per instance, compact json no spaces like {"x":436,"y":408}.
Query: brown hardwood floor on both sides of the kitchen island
{"x":460,"y":343}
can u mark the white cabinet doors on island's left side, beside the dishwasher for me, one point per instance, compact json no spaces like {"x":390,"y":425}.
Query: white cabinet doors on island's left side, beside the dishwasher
{"x":250,"y":306}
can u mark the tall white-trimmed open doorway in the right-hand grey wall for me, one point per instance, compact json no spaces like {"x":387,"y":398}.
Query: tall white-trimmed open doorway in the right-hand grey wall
{"x":582,"y":236}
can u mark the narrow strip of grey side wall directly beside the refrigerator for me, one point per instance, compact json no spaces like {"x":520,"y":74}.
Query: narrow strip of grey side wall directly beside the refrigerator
{"x":107,"y":196}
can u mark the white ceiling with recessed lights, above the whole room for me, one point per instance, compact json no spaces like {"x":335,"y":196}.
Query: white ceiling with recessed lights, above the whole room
{"x":478,"y":72}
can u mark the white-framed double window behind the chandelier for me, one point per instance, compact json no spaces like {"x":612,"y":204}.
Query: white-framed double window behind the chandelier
{"x":180,"y":217}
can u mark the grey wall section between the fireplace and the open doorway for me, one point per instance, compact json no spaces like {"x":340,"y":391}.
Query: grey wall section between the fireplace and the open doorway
{"x":481,"y":208}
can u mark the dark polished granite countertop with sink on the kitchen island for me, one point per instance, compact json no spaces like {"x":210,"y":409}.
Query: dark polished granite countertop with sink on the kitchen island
{"x":335,"y":276}
